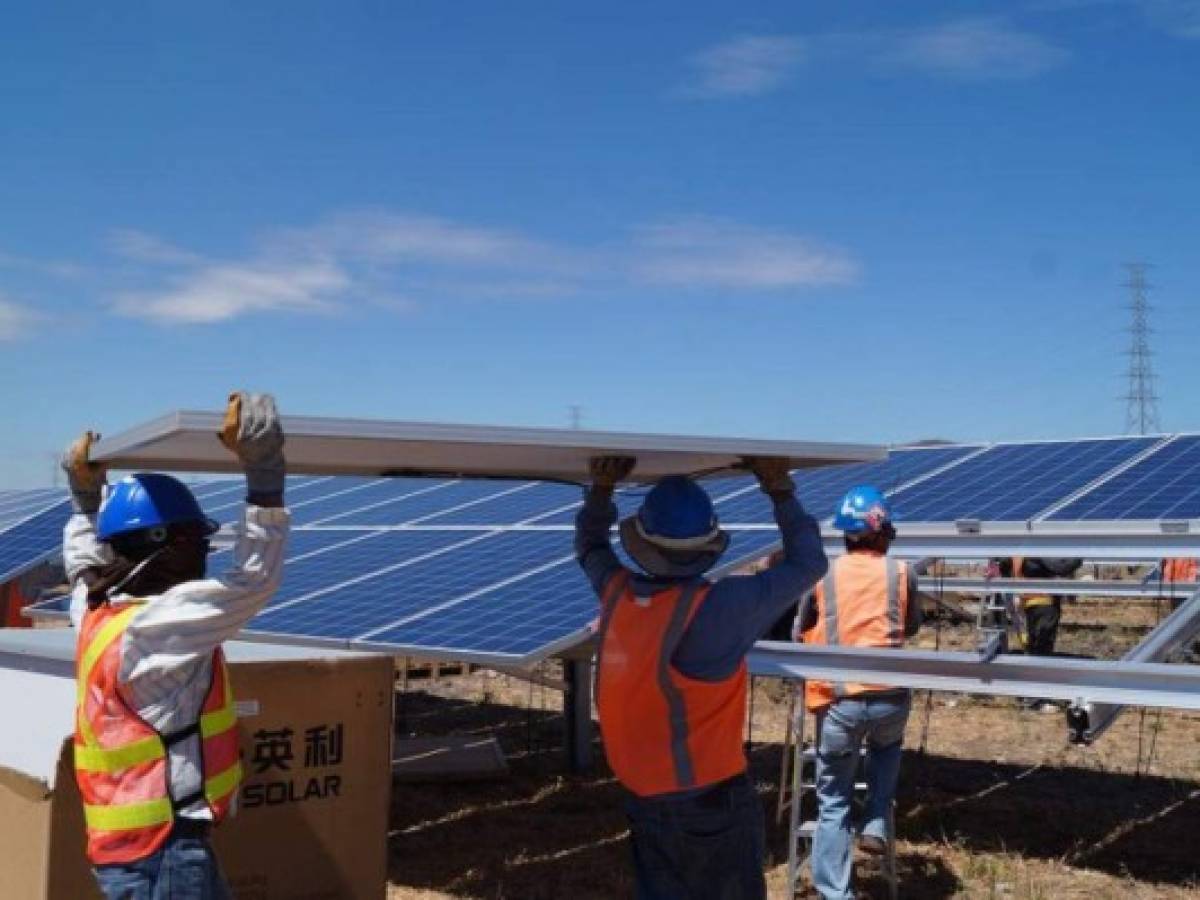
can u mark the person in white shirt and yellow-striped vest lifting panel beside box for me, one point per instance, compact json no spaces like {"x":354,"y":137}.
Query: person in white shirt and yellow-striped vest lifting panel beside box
{"x":157,"y":736}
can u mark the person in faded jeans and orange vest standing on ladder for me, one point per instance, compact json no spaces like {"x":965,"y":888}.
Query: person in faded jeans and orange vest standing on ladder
{"x":868,"y":599}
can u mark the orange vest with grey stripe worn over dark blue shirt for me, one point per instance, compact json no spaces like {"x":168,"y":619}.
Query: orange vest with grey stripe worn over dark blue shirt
{"x":663,"y":731}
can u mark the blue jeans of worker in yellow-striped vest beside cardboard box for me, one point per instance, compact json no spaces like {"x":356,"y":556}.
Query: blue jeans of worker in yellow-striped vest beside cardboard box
{"x":184,"y":869}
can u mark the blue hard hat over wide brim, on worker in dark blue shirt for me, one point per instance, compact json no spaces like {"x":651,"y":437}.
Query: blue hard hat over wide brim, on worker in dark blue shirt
{"x":675,"y":533}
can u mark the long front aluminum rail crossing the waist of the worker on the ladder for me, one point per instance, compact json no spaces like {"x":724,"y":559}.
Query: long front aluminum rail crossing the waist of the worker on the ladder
{"x":1144,"y":685}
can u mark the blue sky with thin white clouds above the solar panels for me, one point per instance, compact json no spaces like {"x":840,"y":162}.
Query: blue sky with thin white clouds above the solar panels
{"x":860,"y":221}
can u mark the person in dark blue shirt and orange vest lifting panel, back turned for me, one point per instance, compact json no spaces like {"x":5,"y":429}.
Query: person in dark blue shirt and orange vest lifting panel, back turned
{"x":671,"y":681}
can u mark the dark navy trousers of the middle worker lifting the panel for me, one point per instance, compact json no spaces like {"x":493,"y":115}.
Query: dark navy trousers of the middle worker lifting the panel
{"x":707,"y":847}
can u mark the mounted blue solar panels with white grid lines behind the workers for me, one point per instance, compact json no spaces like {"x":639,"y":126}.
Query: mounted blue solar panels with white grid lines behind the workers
{"x":485,"y":569}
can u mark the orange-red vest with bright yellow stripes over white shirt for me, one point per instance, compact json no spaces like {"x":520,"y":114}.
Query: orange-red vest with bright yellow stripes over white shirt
{"x":121,"y":761}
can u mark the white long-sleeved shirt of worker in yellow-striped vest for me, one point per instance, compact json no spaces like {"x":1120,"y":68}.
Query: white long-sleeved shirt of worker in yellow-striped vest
{"x":167,"y":650}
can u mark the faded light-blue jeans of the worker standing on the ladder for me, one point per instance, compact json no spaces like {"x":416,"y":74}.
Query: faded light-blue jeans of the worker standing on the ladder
{"x":842,"y":730}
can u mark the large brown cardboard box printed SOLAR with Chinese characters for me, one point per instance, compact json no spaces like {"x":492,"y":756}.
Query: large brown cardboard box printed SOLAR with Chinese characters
{"x":316,"y":740}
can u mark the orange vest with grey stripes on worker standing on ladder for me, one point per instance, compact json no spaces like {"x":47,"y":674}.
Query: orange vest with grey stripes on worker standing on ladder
{"x":861,"y":603}
